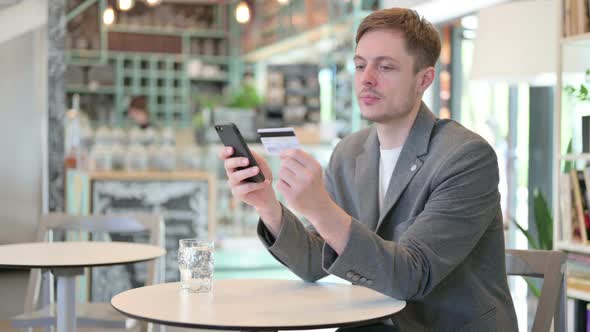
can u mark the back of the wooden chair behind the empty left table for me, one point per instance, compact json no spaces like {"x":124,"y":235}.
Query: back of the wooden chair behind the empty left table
{"x":124,"y":223}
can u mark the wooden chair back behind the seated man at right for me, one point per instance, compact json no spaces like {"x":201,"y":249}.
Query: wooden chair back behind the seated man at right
{"x":549,"y":265}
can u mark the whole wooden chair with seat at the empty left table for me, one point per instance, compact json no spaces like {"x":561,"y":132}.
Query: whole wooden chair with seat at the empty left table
{"x":39,"y":307}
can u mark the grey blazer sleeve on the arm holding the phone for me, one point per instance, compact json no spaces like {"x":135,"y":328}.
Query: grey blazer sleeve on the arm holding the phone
{"x":298,"y":247}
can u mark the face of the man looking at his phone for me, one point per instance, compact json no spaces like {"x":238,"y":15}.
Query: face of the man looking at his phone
{"x":385,"y":82}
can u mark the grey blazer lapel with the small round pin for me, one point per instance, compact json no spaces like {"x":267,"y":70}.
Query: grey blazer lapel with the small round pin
{"x":408,"y":163}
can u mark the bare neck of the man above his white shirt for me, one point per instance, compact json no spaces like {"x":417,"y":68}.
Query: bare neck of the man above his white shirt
{"x":394,"y":133}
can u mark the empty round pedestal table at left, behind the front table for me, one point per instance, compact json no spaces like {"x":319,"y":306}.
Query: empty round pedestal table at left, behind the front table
{"x":67,"y":260}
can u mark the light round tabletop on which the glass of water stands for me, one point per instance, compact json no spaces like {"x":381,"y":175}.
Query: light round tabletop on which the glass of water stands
{"x":258,"y":304}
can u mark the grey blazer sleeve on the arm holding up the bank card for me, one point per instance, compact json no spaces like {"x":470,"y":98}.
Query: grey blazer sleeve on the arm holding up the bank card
{"x":464,"y":200}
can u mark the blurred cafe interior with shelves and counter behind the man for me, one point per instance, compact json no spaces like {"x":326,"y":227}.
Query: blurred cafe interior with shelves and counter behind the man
{"x":107,"y":106}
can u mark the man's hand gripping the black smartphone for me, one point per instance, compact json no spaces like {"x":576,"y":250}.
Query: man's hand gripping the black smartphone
{"x":259,"y":195}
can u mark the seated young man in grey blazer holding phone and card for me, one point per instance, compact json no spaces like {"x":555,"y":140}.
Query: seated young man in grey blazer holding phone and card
{"x":408,"y":207}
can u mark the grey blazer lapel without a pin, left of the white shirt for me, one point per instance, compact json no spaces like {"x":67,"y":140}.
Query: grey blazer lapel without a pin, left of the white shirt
{"x":367,"y":181}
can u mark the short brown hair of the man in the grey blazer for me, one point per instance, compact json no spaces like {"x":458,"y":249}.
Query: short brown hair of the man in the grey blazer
{"x":422,"y":39}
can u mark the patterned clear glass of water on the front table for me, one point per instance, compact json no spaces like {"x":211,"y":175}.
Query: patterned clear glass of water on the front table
{"x":195,"y":262}
